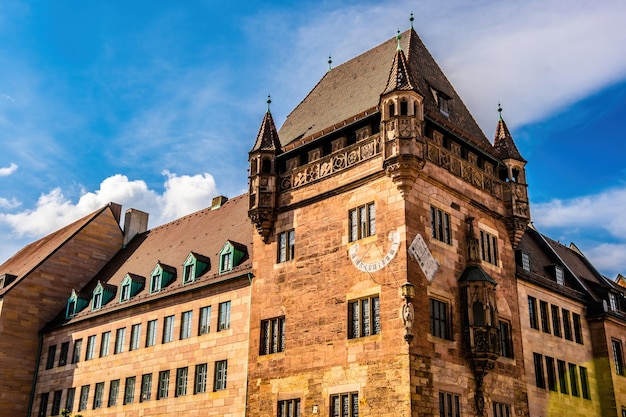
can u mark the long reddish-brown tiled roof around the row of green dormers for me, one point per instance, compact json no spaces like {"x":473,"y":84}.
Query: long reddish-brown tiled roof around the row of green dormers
{"x":203,"y":232}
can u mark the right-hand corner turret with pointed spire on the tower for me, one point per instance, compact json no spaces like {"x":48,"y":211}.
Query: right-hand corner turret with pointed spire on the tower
{"x":516,"y":190}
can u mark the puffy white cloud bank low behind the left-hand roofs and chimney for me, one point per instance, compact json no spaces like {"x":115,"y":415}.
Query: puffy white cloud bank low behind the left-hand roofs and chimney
{"x":183,"y":195}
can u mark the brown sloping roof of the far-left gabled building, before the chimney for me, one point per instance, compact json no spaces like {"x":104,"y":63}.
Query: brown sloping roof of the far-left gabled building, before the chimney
{"x":33,"y":254}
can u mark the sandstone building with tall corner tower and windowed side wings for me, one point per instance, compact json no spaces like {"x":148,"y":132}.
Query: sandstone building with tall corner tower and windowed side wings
{"x":381,"y":264}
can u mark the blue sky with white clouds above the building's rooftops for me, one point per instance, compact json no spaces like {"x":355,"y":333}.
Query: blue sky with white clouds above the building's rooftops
{"x":155,"y":104}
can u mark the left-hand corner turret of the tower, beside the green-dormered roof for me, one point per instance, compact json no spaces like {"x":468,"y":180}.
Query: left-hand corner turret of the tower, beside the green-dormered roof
{"x":263,"y":175}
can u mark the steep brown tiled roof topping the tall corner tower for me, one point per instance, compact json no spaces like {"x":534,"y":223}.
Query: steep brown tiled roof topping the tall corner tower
{"x":354,"y":88}
